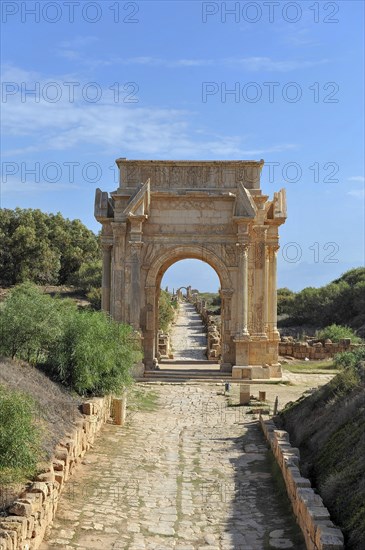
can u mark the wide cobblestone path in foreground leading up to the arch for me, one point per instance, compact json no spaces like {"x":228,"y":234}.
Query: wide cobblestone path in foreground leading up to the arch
{"x":194,"y":474}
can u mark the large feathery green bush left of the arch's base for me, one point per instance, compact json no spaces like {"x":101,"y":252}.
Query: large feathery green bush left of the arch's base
{"x":86,"y":351}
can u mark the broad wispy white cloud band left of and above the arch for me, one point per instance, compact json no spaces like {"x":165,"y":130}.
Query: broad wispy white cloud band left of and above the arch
{"x":105,"y":125}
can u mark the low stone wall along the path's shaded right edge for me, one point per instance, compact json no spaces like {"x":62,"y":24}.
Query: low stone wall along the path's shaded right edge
{"x":312,"y":516}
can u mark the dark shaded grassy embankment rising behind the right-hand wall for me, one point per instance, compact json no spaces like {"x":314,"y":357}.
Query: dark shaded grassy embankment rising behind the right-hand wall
{"x":329,"y":428}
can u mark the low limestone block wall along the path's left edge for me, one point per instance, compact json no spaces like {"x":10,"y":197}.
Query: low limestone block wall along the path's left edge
{"x":29,"y":516}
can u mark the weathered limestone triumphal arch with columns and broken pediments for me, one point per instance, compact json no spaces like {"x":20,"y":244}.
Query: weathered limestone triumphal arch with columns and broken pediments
{"x":215,"y":211}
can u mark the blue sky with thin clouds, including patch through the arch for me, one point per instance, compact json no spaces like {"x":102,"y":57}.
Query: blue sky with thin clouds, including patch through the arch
{"x":151,"y":80}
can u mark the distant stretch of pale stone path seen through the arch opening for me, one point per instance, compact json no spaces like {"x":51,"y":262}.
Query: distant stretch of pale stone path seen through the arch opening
{"x":188,"y":338}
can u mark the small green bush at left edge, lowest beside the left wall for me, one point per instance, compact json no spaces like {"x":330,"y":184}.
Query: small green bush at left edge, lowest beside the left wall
{"x":20,"y":437}
